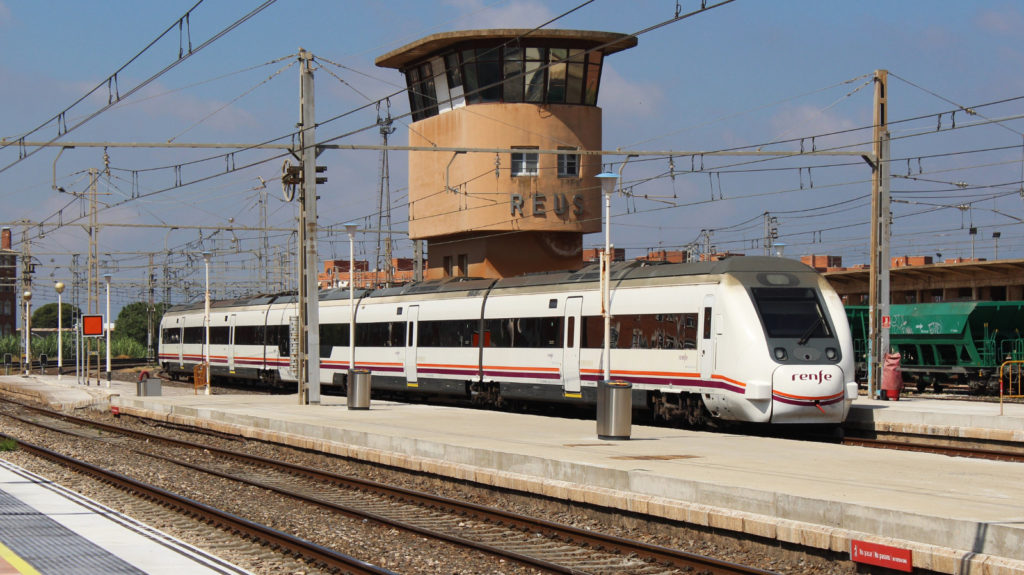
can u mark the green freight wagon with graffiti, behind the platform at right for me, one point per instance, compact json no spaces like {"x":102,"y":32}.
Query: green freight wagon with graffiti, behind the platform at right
{"x":950,"y":343}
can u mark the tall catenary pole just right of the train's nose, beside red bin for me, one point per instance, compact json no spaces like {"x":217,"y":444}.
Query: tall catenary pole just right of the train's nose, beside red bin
{"x":881,"y":218}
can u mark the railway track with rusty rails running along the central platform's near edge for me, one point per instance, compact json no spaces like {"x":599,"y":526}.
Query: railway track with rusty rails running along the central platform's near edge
{"x":542,"y":545}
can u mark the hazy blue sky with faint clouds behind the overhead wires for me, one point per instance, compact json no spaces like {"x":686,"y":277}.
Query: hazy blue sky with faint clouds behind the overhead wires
{"x":749,"y":75}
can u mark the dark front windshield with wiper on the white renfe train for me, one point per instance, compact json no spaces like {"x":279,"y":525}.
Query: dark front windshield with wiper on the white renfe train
{"x":792,"y":314}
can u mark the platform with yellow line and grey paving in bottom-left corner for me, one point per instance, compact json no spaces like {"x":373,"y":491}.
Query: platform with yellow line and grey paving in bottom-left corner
{"x":48,"y":529}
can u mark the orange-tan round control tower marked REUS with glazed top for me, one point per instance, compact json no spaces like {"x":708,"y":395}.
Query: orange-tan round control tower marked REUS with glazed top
{"x":532,"y":95}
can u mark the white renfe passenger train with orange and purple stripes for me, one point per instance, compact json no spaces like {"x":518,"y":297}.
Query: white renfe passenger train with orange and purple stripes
{"x":747,"y":339}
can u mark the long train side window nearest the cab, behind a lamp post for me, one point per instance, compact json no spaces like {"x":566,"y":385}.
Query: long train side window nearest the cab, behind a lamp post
{"x":646,"y":331}
